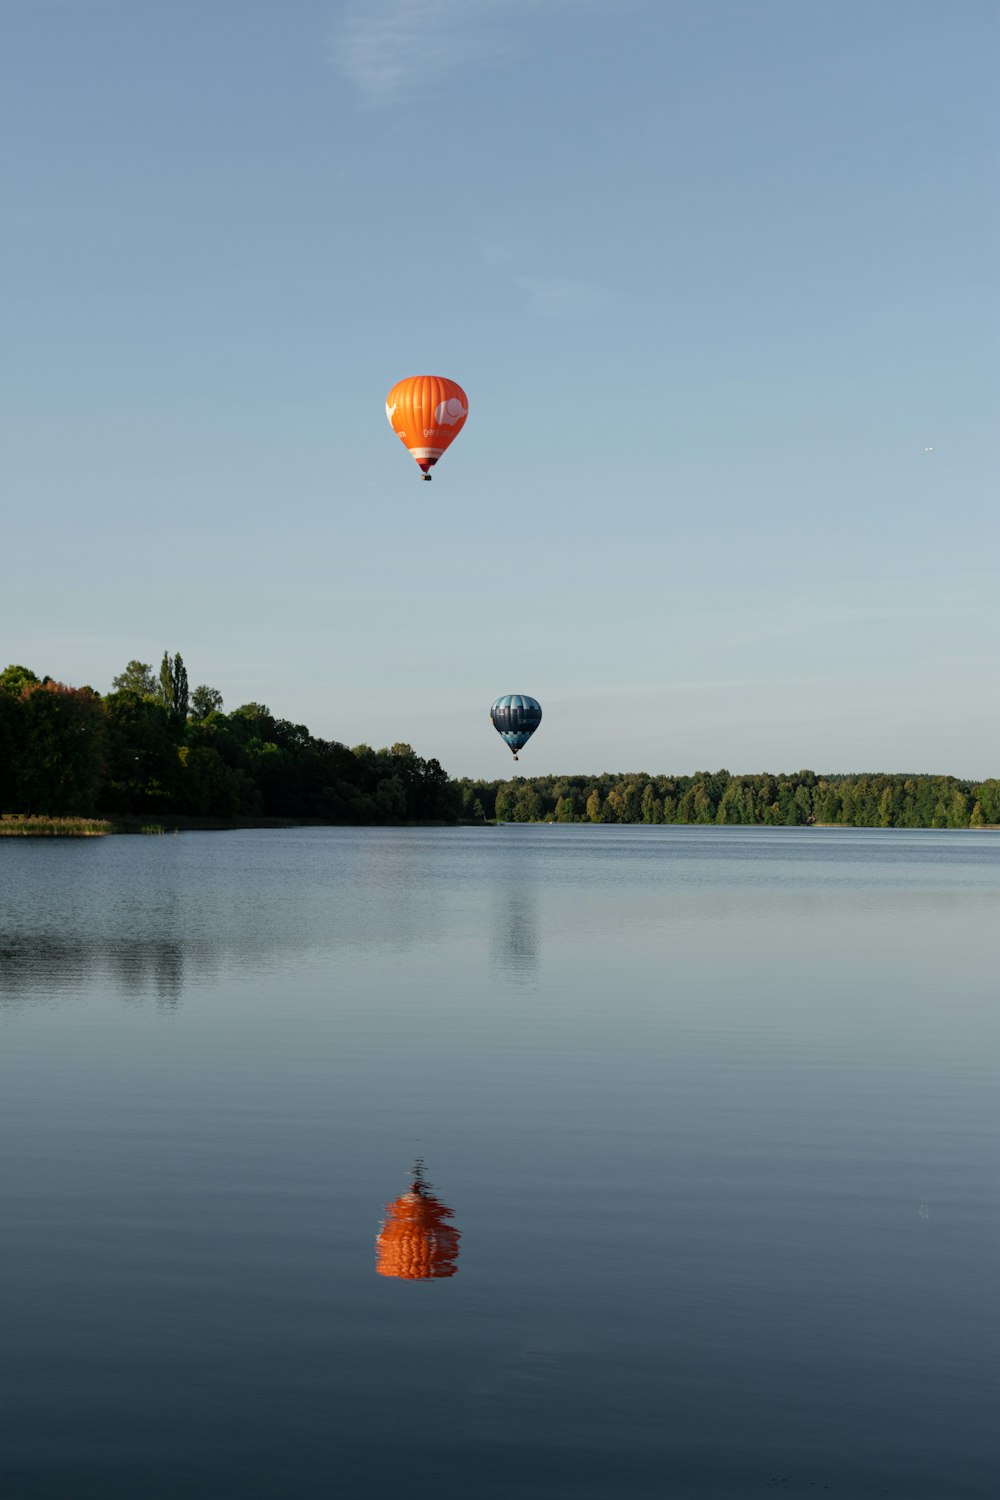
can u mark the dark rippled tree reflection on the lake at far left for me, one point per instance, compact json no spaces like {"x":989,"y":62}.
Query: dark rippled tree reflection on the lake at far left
{"x":35,"y":964}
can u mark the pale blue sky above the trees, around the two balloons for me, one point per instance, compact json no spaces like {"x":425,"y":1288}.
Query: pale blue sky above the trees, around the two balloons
{"x":714,"y":275}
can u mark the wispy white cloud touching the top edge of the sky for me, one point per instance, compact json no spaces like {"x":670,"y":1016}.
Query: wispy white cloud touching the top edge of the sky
{"x":391,"y":50}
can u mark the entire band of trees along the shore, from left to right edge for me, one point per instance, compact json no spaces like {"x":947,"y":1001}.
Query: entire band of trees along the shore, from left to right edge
{"x":154,"y":746}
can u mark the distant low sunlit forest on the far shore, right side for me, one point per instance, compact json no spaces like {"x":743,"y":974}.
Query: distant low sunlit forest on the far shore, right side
{"x":716,"y":797}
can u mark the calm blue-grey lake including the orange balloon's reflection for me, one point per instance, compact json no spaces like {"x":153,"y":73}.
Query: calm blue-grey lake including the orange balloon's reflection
{"x":713,"y":1111}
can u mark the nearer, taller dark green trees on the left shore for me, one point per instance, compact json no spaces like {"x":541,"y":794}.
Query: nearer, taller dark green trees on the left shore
{"x":152,"y":746}
